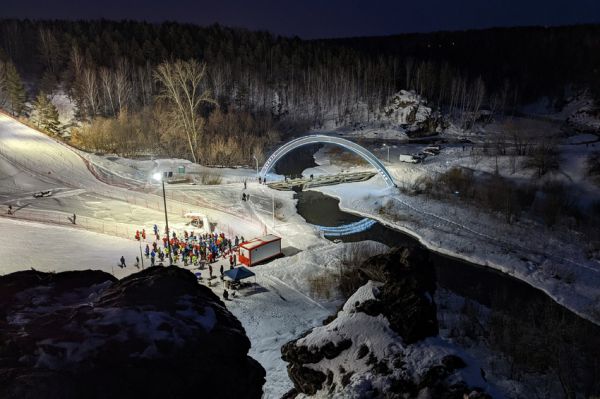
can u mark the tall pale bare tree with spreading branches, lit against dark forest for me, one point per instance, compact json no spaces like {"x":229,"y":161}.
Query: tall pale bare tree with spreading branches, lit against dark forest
{"x":182,"y":89}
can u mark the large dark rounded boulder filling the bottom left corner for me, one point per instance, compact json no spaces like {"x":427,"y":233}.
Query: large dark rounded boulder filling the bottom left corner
{"x":156,"y":333}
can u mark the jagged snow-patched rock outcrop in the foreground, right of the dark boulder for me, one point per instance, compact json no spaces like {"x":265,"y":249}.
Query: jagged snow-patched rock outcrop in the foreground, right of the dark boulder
{"x":382,"y":343}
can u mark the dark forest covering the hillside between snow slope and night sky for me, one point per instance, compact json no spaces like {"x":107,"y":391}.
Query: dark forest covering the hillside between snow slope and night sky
{"x":246,"y":90}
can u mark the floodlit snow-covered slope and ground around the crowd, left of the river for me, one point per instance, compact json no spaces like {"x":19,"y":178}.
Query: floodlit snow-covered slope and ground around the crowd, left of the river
{"x":274,"y":311}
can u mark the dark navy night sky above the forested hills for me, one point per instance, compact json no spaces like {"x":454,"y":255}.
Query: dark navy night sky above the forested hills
{"x":321,"y":18}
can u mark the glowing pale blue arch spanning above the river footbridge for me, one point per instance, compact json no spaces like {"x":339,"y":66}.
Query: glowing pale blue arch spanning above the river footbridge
{"x":321,"y":138}
